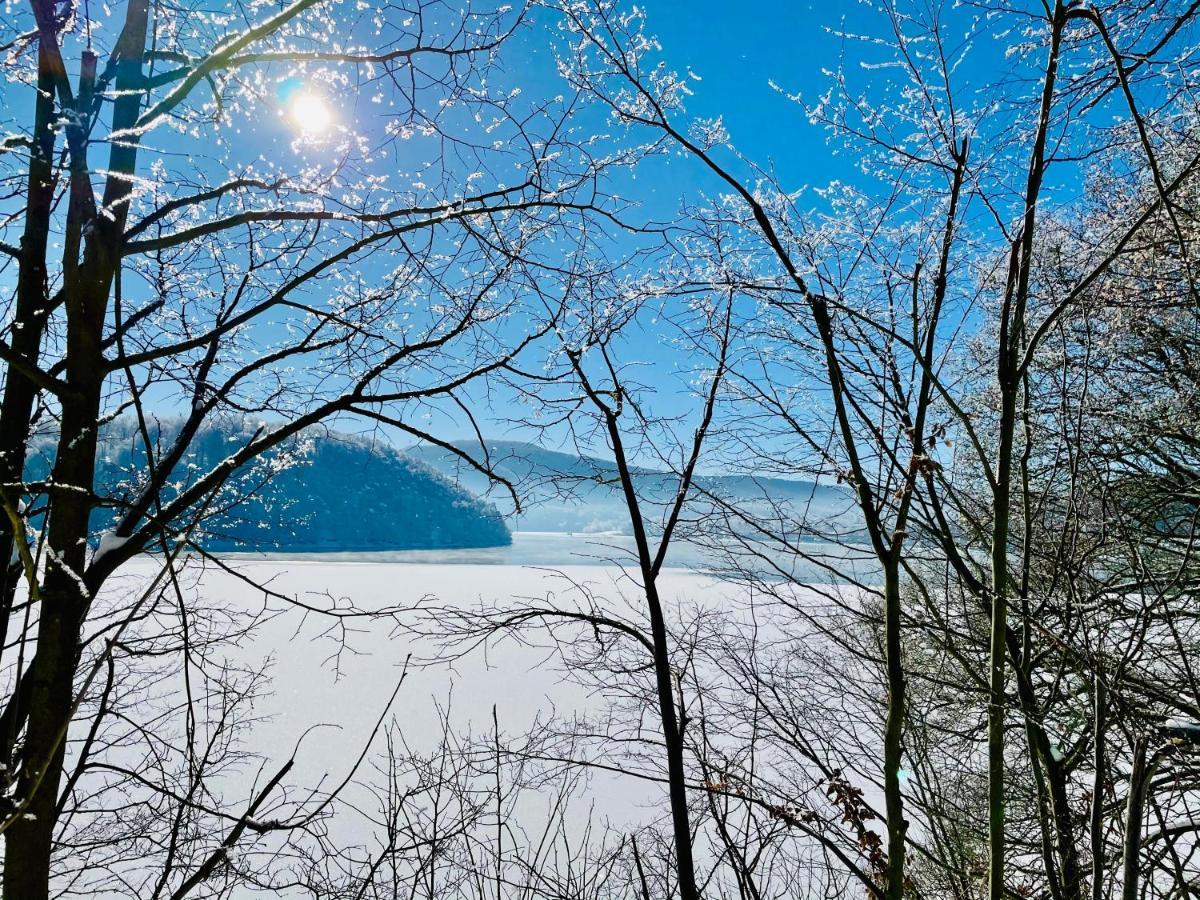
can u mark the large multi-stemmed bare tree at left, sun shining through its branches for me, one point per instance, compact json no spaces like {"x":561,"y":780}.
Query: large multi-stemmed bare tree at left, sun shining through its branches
{"x":365,"y":261}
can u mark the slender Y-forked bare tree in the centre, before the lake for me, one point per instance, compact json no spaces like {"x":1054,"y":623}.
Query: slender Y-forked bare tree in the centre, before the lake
{"x":593,"y":393}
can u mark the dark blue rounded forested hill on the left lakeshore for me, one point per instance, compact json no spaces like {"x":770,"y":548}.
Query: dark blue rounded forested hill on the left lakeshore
{"x":323,"y":493}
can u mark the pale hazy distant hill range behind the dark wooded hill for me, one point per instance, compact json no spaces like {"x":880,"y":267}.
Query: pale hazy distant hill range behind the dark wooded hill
{"x":569,"y":493}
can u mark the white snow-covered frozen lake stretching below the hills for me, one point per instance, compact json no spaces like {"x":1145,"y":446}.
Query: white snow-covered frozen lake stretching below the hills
{"x":332,"y":679}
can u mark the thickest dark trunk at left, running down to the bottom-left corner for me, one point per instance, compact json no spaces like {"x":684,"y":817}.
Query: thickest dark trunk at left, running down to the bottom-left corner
{"x":65,"y":601}
